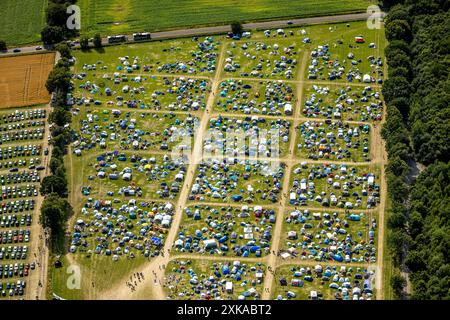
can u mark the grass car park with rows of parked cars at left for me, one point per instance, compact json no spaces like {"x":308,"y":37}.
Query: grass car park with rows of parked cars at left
{"x":22,"y":133}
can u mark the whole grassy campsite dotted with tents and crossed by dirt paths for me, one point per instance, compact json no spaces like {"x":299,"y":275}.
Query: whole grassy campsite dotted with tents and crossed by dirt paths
{"x":140,"y":110}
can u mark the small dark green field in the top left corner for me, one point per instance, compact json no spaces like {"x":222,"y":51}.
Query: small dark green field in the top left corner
{"x":21,"y":22}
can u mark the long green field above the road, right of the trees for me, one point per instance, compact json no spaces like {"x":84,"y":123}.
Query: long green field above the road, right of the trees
{"x":122,"y":16}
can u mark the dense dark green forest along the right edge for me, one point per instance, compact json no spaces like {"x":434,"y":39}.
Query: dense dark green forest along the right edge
{"x":417,"y":96}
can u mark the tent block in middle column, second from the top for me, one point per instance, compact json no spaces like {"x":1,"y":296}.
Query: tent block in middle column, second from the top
{"x":267,"y":98}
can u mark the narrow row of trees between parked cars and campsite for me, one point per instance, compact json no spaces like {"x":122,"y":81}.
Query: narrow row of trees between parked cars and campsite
{"x":56,"y":209}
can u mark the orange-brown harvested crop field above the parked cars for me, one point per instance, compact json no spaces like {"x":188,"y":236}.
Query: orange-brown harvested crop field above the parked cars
{"x":22,"y":80}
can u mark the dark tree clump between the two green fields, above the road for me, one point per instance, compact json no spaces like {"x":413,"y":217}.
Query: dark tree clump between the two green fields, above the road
{"x":56,"y":16}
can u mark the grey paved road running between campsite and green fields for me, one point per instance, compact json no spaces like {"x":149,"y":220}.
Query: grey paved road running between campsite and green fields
{"x":224,"y":29}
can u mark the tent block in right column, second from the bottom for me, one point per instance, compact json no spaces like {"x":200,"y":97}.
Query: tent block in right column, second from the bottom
{"x":323,"y":236}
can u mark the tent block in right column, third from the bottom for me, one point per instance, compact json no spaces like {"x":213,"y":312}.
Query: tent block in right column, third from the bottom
{"x":332,"y":185}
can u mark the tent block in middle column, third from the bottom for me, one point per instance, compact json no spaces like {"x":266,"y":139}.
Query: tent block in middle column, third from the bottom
{"x":237,"y":181}
